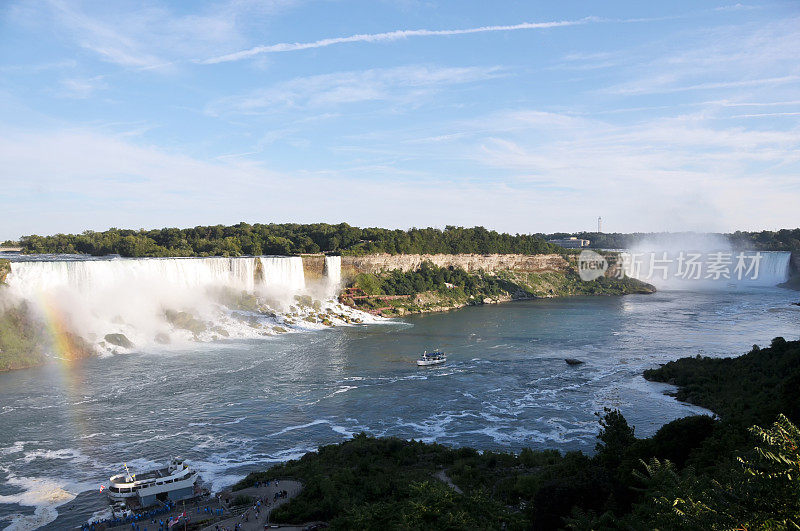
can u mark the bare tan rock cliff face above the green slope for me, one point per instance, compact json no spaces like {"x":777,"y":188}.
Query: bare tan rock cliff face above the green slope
{"x":489,"y":263}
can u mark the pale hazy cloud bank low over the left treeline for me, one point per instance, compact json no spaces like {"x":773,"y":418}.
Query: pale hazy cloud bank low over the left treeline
{"x":126,"y":184}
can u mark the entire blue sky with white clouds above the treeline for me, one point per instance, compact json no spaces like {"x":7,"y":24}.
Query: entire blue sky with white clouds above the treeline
{"x":520,"y":116}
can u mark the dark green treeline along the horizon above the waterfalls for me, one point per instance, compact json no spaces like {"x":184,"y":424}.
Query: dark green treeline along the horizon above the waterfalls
{"x":292,"y":239}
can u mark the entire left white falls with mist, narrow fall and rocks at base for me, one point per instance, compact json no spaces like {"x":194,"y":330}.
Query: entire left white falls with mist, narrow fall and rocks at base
{"x":119,"y":304}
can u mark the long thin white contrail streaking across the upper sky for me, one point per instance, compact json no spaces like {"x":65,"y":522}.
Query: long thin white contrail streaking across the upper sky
{"x":389,"y":36}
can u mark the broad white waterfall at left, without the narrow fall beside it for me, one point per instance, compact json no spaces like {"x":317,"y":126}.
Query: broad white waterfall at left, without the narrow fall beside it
{"x":133,"y":296}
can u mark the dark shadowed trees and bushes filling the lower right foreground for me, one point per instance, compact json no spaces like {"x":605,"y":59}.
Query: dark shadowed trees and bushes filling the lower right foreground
{"x":697,"y":472}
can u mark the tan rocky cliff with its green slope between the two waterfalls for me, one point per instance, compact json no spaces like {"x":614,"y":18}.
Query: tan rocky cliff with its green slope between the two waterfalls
{"x":375,"y":284}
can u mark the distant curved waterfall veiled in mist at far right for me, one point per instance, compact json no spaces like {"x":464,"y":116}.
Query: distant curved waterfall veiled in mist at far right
{"x":723,"y":269}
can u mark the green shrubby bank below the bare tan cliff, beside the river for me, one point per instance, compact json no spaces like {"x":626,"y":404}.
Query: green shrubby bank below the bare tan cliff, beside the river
{"x":433,"y":288}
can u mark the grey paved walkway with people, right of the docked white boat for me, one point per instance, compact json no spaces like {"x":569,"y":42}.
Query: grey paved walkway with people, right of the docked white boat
{"x":252,"y":519}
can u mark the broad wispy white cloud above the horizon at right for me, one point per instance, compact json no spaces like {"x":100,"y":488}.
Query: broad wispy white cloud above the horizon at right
{"x":707,"y":171}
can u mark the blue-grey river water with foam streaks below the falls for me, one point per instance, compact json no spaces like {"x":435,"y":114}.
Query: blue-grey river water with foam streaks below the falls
{"x":239,"y":405}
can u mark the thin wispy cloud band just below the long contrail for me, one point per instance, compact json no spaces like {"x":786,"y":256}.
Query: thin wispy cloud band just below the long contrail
{"x":400,"y":84}
